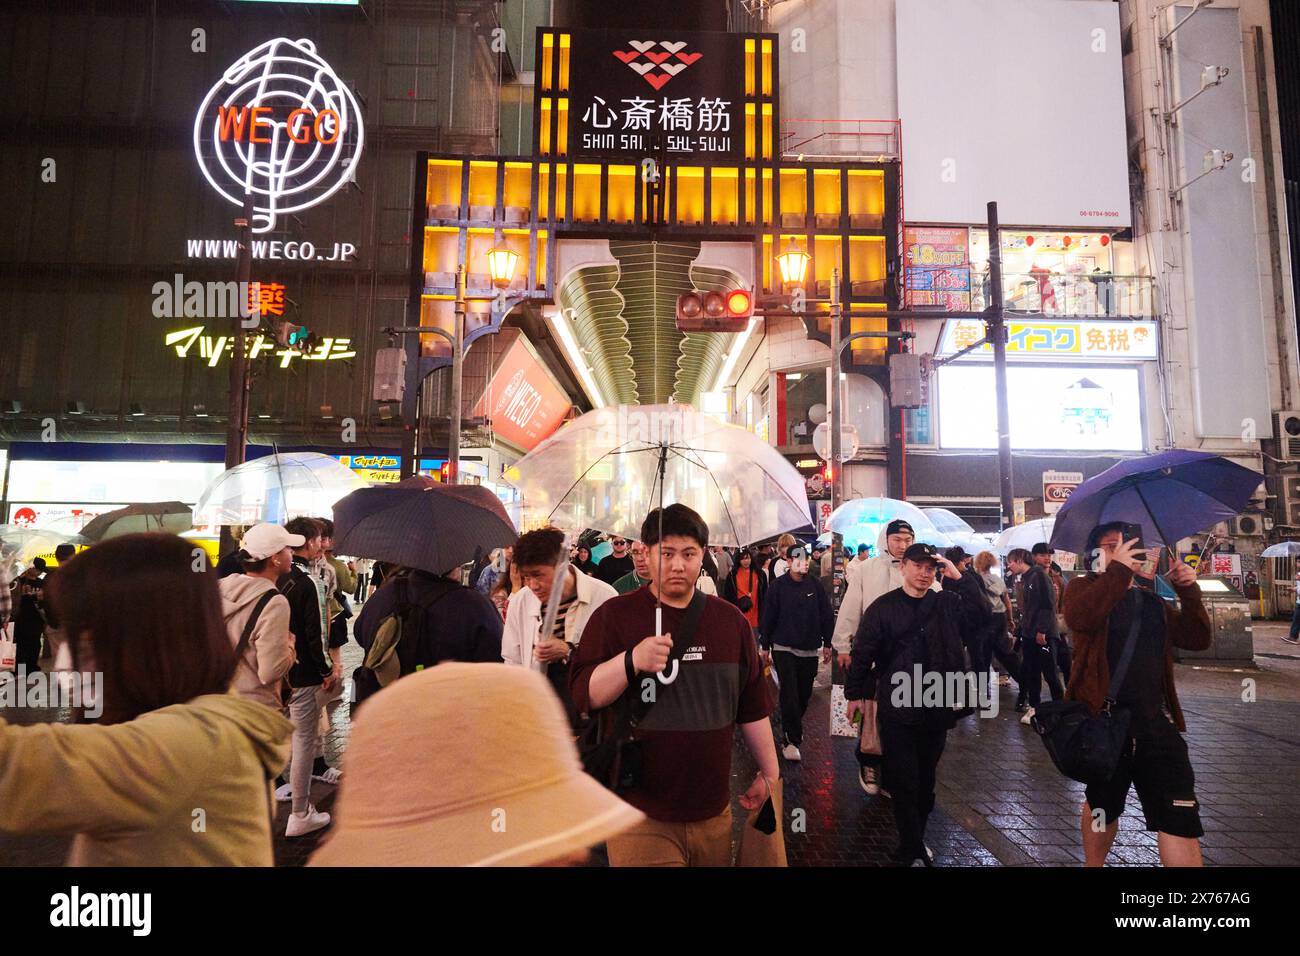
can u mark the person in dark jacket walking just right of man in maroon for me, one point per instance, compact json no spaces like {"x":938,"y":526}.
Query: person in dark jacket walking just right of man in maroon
{"x":798,"y":624}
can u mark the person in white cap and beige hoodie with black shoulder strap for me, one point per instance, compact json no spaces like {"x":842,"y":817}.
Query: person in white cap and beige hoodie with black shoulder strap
{"x":257,"y":615}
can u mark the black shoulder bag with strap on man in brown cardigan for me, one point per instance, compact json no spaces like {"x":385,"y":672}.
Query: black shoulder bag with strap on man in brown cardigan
{"x":1087,"y":747}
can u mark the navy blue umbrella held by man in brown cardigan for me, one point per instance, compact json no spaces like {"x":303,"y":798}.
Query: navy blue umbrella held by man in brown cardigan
{"x":1172,"y":495}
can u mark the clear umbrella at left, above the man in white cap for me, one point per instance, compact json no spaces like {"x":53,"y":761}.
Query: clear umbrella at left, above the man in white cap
{"x":275,"y":490}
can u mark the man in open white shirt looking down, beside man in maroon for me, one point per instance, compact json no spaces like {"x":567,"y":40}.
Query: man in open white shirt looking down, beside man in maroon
{"x":538,"y":553}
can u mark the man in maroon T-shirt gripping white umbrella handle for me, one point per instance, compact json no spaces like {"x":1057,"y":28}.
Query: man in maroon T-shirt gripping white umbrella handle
{"x":687,"y":737}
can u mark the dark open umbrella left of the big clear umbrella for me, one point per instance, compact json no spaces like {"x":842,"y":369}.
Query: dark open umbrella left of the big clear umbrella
{"x":423,"y":525}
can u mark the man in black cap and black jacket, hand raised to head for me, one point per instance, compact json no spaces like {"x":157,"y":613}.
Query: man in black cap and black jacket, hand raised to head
{"x":908,"y":655}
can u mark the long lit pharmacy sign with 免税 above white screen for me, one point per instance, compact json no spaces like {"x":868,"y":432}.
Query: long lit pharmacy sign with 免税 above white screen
{"x":1050,"y":340}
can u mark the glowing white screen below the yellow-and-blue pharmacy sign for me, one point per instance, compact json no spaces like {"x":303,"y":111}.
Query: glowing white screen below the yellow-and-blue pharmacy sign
{"x":1054,"y":409}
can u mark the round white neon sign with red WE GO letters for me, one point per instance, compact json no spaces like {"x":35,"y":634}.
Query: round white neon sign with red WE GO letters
{"x":280,"y":126}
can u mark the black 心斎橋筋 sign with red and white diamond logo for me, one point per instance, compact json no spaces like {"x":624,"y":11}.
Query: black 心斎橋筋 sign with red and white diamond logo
{"x":635,"y":88}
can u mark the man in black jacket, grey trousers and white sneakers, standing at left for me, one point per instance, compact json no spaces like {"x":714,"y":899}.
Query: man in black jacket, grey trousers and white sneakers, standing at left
{"x":313,"y":678}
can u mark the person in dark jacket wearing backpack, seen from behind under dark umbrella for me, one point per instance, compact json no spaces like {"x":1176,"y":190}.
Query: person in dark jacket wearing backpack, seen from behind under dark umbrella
{"x":419,"y":620}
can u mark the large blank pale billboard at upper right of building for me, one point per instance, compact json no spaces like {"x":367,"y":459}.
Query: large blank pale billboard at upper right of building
{"x":1021,"y":102}
